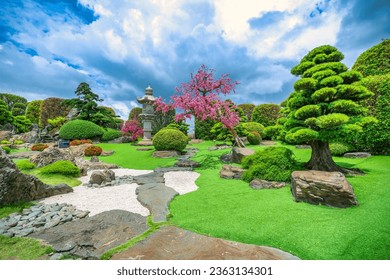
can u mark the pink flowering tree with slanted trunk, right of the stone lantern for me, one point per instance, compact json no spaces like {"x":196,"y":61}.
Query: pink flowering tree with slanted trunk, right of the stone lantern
{"x":201,"y":98}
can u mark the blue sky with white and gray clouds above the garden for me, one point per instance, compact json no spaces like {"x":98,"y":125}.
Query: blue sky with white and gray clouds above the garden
{"x":48,"y":47}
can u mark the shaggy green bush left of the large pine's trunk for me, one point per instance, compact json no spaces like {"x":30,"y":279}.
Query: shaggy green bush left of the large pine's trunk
{"x":273,"y":164}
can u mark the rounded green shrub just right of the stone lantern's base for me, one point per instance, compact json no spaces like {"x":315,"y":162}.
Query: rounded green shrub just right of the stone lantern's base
{"x":170,"y":139}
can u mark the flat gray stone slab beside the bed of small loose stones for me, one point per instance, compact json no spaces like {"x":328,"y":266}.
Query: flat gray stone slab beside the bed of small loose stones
{"x":90,"y":237}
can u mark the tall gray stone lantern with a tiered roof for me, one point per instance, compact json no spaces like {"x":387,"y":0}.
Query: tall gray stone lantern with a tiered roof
{"x":147,"y":115}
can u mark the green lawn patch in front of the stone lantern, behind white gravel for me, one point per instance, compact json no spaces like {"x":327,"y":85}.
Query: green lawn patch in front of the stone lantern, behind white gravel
{"x":127,"y":156}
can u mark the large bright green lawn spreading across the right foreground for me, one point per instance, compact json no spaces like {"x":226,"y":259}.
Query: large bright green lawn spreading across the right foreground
{"x":230,"y":209}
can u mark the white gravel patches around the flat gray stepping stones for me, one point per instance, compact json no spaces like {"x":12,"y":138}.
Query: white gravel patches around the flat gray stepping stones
{"x":122,"y":197}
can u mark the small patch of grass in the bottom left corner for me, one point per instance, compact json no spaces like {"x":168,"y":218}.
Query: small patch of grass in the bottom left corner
{"x":19,"y":248}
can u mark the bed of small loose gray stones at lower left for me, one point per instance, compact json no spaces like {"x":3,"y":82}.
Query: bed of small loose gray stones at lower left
{"x":39,"y":217}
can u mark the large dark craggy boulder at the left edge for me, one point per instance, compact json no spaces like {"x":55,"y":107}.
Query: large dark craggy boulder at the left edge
{"x":16,"y":186}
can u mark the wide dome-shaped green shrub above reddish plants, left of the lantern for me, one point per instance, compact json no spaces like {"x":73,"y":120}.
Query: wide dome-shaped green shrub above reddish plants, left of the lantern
{"x":80,"y":129}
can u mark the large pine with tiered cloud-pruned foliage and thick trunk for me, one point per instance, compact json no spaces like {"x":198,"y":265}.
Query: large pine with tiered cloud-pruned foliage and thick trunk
{"x":324,"y":105}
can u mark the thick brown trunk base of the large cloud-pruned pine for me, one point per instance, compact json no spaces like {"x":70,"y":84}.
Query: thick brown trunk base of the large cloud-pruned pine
{"x":321,"y":159}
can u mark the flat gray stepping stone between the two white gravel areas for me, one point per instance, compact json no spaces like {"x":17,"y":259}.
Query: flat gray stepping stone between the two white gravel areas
{"x":156,"y":197}
